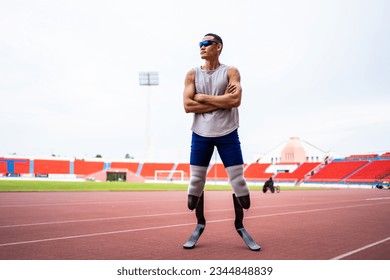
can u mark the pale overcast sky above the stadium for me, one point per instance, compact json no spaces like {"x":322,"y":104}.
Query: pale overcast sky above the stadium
{"x":318,"y":70}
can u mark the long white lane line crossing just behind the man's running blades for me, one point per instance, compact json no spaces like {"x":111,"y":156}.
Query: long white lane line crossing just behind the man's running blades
{"x":180,"y":225}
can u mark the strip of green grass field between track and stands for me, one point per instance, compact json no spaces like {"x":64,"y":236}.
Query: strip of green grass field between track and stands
{"x":37,"y":186}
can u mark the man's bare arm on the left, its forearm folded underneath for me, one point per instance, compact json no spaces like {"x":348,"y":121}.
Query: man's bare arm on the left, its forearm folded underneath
{"x":190,"y":105}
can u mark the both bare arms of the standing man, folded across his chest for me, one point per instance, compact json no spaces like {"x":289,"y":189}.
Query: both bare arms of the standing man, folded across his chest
{"x":203,"y":103}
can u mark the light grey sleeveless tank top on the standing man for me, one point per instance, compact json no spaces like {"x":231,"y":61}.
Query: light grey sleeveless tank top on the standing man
{"x":221,"y":121}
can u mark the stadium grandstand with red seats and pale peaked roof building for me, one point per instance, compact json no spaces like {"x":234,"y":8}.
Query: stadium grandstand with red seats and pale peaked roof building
{"x":295,"y":162}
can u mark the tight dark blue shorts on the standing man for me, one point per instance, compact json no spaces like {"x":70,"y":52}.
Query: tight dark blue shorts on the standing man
{"x":228,"y":146}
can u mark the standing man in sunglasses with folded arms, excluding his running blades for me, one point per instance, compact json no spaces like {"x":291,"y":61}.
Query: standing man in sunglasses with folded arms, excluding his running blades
{"x":213,"y":93}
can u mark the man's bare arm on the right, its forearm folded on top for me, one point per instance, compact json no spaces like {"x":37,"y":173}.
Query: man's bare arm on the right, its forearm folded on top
{"x":232,"y":95}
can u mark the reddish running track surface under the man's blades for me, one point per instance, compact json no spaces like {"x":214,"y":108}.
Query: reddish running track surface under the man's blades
{"x":296,"y":225}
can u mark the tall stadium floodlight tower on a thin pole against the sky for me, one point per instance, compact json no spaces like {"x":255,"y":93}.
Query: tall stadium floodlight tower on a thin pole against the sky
{"x":148,"y":79}
